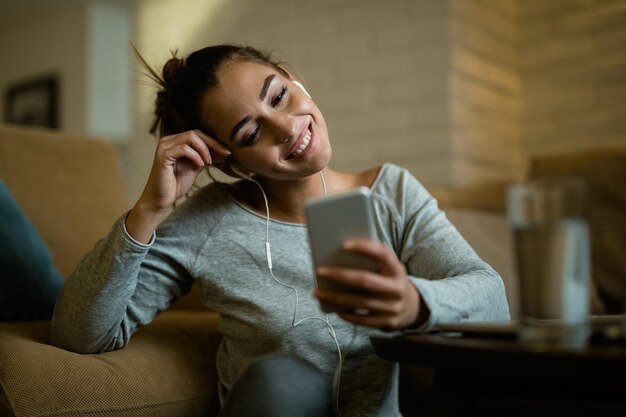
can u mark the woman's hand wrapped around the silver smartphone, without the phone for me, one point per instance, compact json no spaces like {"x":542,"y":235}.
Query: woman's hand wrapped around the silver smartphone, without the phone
{"x":385,"y":299}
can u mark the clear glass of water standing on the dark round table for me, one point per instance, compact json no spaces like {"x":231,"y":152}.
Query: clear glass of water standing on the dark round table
{"x":552,"y":258}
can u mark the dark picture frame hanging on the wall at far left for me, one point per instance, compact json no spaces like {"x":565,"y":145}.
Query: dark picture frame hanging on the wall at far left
{"x":33,"y":102}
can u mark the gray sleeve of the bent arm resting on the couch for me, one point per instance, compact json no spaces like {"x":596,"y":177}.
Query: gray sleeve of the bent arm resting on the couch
{"x":118,"y":287}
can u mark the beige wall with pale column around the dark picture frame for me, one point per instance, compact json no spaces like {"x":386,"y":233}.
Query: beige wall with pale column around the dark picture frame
{"x":85,"y":44}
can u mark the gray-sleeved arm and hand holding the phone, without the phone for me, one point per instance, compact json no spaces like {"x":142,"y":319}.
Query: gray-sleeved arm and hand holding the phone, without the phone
{"x":428,"y":273}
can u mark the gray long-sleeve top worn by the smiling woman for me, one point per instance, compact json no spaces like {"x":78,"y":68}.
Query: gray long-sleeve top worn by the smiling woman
{"x":122,"y":285}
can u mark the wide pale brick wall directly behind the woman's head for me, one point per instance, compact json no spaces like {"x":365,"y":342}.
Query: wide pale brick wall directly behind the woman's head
{"x":377,"y":69}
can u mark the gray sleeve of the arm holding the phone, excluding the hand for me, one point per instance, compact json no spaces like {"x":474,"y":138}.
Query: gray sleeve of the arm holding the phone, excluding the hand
{"x":451,"y":278}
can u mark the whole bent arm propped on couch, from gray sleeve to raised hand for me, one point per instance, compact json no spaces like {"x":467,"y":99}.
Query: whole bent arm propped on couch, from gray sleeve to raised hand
{"x":128,"y":278}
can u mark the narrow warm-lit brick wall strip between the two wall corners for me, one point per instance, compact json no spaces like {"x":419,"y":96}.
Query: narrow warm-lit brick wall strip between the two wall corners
{"x":486,"y":85}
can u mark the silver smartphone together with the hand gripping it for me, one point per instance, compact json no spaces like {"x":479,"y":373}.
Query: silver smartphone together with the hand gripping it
{"x":358,"y":277}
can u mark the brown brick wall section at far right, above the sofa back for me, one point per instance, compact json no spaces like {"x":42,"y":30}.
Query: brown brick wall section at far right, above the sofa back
{"x":574,"y":73}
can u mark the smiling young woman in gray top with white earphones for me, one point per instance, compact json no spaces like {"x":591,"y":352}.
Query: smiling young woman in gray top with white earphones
{"x":235,"y":109}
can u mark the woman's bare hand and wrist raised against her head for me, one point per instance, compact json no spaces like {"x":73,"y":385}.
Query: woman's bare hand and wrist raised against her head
{"x":177,"y":162}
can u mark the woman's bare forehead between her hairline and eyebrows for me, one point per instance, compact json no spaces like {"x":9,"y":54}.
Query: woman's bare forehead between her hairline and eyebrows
{"x":235,"y":97}
